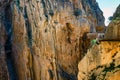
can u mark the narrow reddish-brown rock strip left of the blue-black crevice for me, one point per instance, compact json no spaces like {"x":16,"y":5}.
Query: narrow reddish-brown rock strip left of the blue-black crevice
{"x":3,"y":66}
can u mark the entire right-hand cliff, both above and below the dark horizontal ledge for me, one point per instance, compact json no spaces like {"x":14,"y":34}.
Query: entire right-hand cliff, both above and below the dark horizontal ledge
{"x":102,"y":62}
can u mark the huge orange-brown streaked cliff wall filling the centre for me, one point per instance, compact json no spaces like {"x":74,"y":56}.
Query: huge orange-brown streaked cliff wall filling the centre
{"x":49,"y":36}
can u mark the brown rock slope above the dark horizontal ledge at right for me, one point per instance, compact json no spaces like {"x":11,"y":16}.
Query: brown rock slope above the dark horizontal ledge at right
{"x":113,"y":30}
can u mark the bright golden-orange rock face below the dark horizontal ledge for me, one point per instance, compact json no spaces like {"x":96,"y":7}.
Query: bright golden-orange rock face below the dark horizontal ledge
{"x":102,"y":62}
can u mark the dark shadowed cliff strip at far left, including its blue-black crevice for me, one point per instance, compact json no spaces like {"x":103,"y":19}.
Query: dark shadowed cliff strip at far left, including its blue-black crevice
{"x":6,"y":62}
